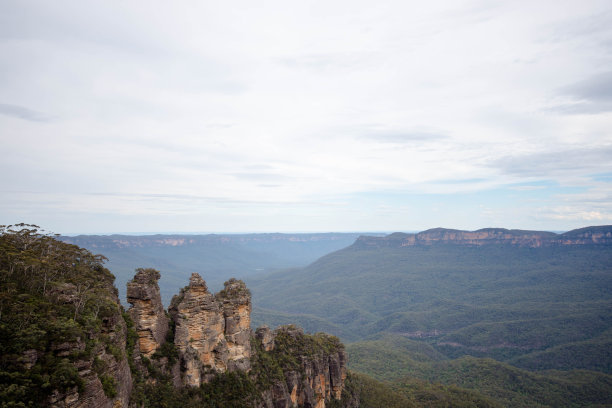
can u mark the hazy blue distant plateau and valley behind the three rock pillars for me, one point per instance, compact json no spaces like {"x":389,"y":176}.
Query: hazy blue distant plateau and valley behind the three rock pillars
{"x":216,"y":257}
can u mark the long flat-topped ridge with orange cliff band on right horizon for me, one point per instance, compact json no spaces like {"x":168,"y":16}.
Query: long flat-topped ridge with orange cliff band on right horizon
{"x":594,"y":235}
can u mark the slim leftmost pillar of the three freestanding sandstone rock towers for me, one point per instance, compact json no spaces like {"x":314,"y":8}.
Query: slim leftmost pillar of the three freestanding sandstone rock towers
{"x":147,"y":310}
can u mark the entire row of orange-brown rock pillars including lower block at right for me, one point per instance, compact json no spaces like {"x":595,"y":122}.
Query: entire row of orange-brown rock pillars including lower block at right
{"x":212,"y":335}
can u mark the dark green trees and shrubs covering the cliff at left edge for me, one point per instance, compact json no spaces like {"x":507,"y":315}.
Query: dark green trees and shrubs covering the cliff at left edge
{"x":55,"y":298}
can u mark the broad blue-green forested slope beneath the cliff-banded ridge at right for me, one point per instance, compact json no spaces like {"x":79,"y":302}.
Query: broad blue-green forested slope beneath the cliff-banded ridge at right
{"x":534,"y":307}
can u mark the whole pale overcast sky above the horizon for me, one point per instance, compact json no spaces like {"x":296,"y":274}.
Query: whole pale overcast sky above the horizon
{"x":280,"y":116}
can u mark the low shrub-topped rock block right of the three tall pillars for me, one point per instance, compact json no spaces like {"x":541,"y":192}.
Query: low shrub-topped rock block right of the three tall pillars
{"x":318,"y":375}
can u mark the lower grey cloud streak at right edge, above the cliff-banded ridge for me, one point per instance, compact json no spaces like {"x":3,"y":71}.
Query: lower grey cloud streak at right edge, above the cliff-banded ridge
{"x":568,"y":161}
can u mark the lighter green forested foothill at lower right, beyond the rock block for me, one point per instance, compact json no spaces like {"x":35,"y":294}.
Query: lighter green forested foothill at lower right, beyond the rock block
{"x":410,"y":366}
